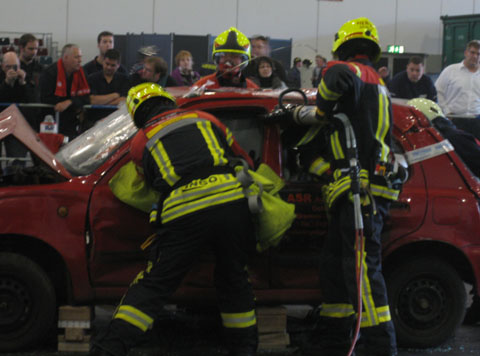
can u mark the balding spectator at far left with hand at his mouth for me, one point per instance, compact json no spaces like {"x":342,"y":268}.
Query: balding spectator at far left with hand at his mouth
{"x":13,"y":90}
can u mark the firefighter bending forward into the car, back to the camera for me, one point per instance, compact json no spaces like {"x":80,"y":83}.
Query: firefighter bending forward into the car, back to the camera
{"x":186,"y":156}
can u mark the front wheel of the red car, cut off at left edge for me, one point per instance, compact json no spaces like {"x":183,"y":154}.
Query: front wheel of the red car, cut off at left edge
{"x":27,"y":303}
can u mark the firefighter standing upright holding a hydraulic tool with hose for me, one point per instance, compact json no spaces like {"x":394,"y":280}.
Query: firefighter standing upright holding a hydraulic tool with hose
{"x":352,"y":102}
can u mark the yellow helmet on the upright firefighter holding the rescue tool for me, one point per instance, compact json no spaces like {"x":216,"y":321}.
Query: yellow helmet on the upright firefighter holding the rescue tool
{"x":360,"y":28}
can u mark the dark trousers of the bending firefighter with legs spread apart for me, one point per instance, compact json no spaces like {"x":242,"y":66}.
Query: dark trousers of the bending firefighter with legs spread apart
{"x":228,"y":231}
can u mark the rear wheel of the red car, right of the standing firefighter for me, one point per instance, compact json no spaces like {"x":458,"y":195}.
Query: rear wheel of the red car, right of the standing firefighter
{"x":427,"y":301}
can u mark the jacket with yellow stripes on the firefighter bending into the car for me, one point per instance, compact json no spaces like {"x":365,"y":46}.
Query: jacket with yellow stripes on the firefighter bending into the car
{"x":185,"y":156}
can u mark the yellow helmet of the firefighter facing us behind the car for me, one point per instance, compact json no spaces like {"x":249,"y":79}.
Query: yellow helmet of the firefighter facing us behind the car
{"x":231,"y":41}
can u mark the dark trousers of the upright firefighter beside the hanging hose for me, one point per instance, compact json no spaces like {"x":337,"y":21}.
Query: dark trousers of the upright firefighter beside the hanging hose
{"x":339,"y":287}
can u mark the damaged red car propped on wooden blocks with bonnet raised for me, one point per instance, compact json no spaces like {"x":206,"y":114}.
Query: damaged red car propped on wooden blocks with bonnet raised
{"x":65,"y":238}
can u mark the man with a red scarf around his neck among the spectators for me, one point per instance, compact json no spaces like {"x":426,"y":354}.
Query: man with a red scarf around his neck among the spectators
{"x":64,"y":85}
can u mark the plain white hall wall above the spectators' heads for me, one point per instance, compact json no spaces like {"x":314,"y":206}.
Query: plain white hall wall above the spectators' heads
{"x":414,"y":23}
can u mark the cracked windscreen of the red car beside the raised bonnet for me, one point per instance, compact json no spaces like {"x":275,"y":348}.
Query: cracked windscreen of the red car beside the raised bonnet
{"x":92,"y":148}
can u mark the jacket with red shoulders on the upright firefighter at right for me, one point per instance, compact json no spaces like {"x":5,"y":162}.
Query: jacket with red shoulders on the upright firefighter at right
{"x":356,"y":90}
